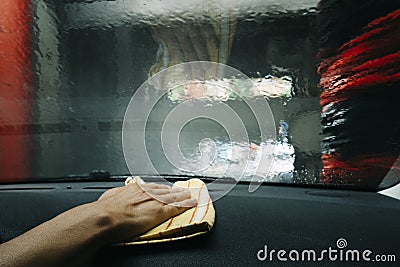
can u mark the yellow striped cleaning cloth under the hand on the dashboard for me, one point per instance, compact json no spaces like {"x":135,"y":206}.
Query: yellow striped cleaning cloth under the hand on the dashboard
{"x":195,"y":221}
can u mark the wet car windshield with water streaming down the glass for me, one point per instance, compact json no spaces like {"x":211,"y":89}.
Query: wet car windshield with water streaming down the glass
{"x":329,"y":71}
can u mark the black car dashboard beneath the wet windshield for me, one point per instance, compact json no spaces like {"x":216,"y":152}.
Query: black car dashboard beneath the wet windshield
{"x":274,"y":217}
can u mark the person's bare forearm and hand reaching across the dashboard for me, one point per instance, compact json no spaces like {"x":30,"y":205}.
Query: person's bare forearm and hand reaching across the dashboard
{"x":73,"y":236}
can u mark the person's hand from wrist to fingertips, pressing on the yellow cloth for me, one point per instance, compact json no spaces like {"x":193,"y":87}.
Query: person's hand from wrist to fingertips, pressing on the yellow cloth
{"x":134,"y":209}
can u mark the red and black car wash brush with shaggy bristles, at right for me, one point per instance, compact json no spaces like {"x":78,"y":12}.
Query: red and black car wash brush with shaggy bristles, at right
{"x":360,"y":90}
